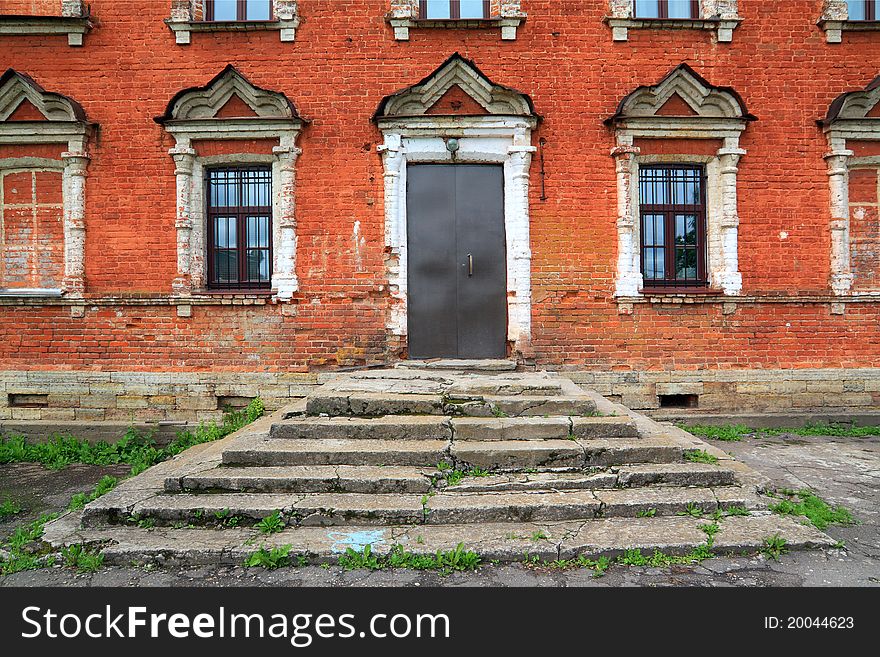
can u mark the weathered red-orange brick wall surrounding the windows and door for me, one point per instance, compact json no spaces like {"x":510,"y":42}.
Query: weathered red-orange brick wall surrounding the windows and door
{"x":343,"y":62}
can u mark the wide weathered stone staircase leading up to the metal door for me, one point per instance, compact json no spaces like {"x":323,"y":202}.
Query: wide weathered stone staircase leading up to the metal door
{"x":508,"y":463}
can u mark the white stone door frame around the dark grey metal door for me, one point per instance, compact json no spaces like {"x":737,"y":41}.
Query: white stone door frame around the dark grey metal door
{"x":490,"y":139}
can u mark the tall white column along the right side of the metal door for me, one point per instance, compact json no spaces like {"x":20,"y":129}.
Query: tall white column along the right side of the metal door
{"x":519,"y":251}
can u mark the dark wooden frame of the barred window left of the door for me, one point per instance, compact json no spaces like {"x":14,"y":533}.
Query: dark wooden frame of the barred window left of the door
{"x":240,"y":213}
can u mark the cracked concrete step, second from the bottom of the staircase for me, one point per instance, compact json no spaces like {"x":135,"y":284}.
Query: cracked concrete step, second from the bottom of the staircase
{"x":448,"y":507}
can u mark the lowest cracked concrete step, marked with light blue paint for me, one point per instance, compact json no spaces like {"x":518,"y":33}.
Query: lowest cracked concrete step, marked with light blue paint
{"x":505,"y":542}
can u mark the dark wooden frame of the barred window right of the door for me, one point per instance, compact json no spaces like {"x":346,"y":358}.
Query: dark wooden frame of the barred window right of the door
{"x":669,"y":211}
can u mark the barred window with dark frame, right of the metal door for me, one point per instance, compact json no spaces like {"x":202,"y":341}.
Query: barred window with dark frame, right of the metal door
{"x":673,"y":225}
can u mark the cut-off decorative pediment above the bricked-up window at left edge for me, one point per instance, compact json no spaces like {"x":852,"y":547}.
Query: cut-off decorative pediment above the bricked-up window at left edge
{"x":22,"y":99}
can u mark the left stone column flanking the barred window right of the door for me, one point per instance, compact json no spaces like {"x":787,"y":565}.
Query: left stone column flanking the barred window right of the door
{"x":629,"y":276}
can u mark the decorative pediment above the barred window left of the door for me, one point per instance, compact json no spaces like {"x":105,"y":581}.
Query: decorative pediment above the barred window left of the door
{"x":228,"y":95}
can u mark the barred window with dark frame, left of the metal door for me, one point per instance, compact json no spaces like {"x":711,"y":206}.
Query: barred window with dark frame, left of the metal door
{"x":239,"y":227}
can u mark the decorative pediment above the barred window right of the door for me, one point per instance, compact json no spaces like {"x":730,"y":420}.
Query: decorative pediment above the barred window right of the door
{"x":684,"y":93}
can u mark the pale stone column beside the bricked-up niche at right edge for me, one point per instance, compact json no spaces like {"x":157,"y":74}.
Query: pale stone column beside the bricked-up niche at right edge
{"x":838,"y":175}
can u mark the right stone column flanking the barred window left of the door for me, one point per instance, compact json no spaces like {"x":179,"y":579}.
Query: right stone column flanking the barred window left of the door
{"x":284,"y":280}
